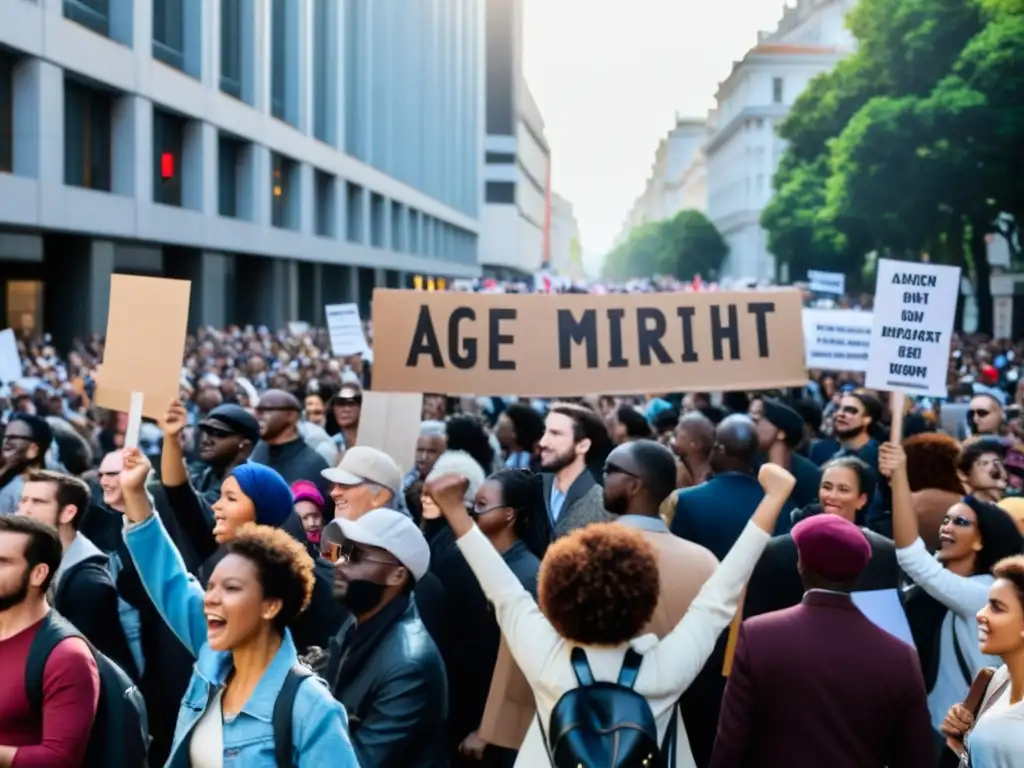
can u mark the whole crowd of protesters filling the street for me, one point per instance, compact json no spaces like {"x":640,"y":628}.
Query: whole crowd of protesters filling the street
{"x":445,"y":613}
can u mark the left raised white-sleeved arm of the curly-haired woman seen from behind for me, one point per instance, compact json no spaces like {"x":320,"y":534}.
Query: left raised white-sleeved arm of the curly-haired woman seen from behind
{"x":531,"y":637}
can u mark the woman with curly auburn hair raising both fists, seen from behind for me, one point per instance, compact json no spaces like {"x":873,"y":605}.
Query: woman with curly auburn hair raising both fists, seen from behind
{"x":598,"y":589}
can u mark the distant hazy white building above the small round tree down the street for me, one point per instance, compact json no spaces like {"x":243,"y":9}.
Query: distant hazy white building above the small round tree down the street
{"x":668,"y":189}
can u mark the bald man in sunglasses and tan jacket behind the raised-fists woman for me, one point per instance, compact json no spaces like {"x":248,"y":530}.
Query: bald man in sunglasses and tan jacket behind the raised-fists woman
{"x":639,"y":475}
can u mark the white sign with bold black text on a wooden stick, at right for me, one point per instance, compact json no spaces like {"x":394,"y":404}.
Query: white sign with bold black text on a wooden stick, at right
{"x":914,"y":320}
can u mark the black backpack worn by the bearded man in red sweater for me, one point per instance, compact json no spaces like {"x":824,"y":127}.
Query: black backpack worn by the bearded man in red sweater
{"x":120,"y":733}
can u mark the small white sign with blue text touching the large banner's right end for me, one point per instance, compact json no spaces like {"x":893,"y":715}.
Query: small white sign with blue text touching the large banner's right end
{"x":837,"y":339}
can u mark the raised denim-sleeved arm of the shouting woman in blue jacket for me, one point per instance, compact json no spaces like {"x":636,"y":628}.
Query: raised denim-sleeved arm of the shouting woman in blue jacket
{"x":177,"y":595}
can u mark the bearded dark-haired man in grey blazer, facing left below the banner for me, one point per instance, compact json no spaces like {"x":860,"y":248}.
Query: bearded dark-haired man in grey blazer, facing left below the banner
{"x":573,"y":498}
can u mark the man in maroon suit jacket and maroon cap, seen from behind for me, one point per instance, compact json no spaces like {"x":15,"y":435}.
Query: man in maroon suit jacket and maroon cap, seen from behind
{"x":819,"y":685}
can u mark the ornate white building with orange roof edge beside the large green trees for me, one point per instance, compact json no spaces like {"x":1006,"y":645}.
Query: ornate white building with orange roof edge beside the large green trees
{"x":744,"y":149}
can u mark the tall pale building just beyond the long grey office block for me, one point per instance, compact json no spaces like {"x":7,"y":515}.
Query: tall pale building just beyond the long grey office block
{"x":516,"y":219}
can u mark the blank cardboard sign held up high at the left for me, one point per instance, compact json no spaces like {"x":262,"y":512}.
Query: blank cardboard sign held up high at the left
{"x":146,"y":340}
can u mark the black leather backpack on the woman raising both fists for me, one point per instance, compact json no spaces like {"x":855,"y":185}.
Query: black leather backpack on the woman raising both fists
{"x":607,"y":726}
